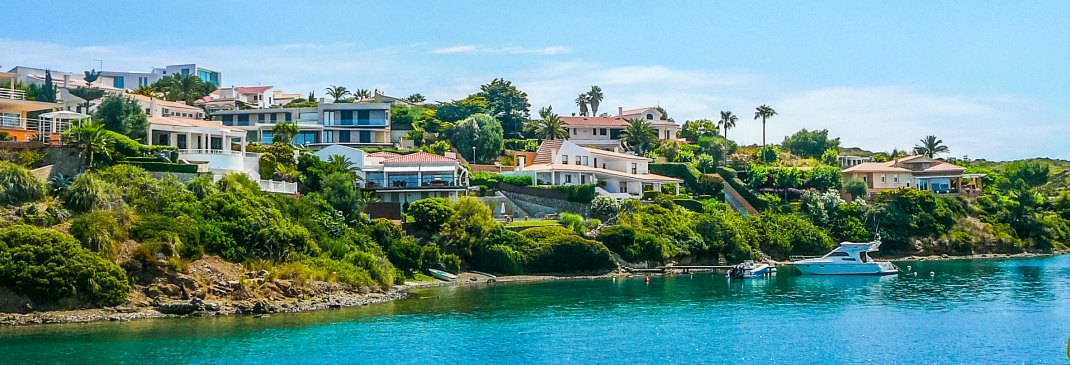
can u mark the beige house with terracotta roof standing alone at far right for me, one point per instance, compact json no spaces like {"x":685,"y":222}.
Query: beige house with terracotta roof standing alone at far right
{"x":916,"y":172}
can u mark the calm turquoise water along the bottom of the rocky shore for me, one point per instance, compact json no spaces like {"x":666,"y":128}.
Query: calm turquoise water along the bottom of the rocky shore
{"x":981,"y":312}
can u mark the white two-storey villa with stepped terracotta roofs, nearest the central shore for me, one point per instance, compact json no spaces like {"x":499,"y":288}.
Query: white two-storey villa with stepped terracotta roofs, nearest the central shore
{"x":567,"y":163}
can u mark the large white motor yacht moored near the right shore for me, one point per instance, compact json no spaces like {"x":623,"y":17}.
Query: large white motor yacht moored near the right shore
{"x":850,"y":258}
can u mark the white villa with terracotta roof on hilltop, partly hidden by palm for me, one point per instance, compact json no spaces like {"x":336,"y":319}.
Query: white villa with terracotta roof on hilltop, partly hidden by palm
{"x":605,"y":132}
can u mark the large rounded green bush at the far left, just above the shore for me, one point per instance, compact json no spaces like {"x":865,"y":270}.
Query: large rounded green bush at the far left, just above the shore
{"x":50,"y":266}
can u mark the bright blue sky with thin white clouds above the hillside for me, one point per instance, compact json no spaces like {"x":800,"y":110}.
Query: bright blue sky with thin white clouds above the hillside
{"x":990,"y":79}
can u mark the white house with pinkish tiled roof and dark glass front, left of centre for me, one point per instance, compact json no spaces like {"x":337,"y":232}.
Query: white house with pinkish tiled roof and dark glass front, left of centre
{"x":404,"y":178}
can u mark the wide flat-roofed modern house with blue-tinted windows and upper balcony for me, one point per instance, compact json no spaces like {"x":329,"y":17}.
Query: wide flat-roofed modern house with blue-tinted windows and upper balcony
{"x":355,"y":125}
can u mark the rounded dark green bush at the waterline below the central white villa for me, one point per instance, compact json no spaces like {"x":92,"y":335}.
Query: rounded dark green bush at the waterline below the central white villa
{"x":571,"y":254}
